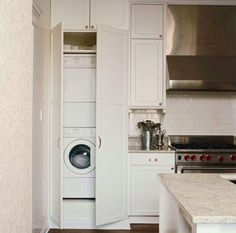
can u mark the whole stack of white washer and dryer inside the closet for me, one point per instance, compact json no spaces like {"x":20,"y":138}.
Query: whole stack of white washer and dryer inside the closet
{"x":79,"y":125}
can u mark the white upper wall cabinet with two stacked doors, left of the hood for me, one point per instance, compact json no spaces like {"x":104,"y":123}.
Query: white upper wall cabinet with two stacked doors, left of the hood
{"x":147,"y":73}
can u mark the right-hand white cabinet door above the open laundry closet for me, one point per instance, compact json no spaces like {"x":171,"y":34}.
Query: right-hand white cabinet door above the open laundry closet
{"x":113,"y":13}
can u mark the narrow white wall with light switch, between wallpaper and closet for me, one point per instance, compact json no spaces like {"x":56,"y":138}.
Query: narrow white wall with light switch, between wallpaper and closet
{"x":40,"y":153}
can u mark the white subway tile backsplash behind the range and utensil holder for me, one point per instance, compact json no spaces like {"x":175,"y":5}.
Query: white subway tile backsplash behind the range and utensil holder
{"x":193,"y":114}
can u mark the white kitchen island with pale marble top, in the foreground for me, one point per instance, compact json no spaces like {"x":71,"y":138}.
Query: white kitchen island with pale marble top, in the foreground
{"x":197,"y":203}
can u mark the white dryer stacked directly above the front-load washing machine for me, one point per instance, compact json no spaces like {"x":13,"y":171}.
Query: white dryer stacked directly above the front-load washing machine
{"x":79,"y":90}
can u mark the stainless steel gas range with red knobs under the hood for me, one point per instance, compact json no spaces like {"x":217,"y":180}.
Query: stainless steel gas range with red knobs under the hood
{"x":201,"y":152}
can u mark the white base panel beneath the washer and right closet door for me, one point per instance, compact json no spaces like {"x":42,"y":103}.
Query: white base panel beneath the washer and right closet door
{"x":89,"y":223}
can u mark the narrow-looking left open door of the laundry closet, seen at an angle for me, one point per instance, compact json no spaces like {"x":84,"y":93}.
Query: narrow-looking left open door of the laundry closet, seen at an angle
{"x":56,"y":123}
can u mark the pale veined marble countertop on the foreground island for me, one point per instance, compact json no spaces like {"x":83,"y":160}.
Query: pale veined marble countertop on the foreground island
{"x":203,"y":198}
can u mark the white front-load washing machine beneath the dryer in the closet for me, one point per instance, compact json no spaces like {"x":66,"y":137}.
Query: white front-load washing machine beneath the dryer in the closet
{"x":79,"y":163}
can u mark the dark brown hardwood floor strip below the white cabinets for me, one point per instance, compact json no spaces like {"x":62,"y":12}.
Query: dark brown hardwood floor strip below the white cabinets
{"x":135,"y":228}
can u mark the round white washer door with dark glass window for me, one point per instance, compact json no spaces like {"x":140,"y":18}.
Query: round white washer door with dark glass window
{"x":79,"y":156}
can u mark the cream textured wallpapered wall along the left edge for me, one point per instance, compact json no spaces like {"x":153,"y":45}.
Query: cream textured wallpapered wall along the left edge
{"x":15,"y":114}
